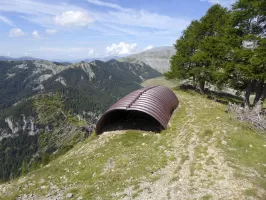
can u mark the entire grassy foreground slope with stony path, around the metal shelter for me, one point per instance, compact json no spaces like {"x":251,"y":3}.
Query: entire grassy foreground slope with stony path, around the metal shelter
{"x":204,"y":154}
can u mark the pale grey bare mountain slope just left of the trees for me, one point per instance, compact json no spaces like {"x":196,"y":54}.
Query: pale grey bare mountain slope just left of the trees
{"x":158,"y":58}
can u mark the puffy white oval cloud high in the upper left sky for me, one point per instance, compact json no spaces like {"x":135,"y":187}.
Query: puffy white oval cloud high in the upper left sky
{"x":73,"y":18}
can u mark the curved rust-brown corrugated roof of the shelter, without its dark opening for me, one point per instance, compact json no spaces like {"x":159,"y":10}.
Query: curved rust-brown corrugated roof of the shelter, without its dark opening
{"x":157,"y":101}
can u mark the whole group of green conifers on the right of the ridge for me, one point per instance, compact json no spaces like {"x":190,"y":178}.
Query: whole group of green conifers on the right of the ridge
{"x":225,"y":48}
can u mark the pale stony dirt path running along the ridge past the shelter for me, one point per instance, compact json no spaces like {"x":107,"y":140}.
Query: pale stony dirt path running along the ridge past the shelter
{"x":199,"y":170}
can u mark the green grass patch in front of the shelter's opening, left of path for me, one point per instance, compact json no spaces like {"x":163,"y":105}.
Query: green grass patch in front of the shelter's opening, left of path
{"x":135,"y":155}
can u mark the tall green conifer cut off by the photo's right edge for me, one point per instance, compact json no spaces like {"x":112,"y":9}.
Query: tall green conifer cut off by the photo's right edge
{"x":249,"y":54}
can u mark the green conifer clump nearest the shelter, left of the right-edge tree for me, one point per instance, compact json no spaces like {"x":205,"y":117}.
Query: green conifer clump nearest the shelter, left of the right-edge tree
{"x":201,"y":49}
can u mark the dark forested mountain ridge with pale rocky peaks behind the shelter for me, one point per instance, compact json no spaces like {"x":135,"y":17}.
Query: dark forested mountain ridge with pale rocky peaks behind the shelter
{"x":96,"y":81}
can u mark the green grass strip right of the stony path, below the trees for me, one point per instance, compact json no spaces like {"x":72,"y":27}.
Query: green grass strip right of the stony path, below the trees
{"x":239,"y":136}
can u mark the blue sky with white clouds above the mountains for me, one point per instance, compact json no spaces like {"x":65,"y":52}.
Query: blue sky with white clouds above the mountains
{"x":77,"y":29}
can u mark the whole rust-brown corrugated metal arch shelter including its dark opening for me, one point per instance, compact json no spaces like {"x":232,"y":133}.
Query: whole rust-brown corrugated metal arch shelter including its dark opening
{"x":148,"y":108}
